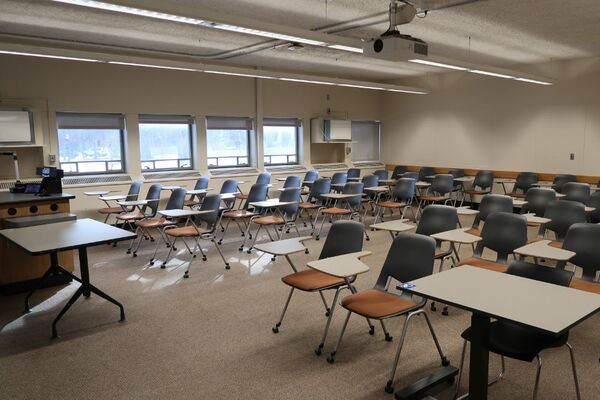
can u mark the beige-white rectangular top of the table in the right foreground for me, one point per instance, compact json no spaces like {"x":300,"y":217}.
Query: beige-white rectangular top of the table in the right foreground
{"x":548,"y":307}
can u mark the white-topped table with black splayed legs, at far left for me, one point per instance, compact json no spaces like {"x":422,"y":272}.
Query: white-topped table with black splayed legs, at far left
{"x":61,"y":236}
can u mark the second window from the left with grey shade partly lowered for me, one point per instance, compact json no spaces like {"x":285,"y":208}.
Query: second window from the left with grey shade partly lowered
{"x":165,"y":142}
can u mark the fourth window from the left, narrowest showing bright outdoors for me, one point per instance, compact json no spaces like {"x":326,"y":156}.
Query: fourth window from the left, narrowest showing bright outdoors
{"x":280,"y":140}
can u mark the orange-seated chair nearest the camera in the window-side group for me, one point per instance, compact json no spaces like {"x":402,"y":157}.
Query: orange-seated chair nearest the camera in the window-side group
{"x":192,"y":228}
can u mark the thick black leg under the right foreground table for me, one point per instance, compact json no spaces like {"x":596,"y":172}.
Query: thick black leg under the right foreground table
{"x":478,"y":364}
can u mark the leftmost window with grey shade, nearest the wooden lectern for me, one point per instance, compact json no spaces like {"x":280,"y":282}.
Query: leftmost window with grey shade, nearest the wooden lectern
{"x":90,"y":143}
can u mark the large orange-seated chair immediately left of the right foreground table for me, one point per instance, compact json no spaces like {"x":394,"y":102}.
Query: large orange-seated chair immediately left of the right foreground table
{"x":410,"y":257}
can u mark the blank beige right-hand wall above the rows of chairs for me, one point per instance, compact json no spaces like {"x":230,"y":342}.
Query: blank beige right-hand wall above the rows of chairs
{"x":483,"y":122}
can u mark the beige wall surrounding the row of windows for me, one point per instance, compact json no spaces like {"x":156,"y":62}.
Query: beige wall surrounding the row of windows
{"x":53,"y":85}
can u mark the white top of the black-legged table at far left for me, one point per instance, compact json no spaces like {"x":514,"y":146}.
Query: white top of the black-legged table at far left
{"x":43,"y":239}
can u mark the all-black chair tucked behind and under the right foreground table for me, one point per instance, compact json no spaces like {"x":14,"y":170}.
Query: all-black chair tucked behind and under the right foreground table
{"x":508,"y":339}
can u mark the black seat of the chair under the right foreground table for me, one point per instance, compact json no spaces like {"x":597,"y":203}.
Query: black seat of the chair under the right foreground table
{"x":518,"y":342}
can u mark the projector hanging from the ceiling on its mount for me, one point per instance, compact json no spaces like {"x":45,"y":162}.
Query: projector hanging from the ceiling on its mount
{"x":392,"y":45}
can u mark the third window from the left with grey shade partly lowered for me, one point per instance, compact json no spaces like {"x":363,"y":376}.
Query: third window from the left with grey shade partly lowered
{"x":228,"y":141}
